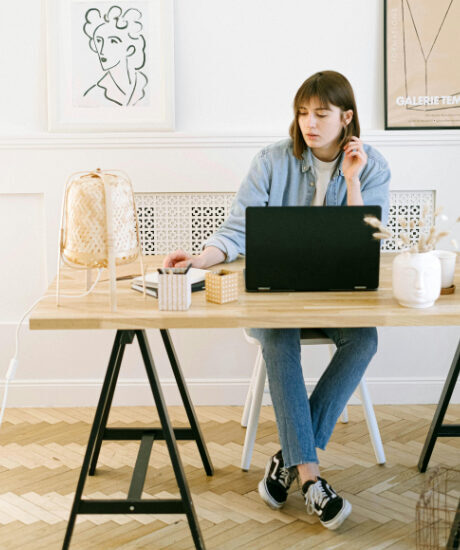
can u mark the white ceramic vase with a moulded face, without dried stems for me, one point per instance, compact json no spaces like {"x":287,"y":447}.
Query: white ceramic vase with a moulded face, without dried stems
{"x":416,"y":279}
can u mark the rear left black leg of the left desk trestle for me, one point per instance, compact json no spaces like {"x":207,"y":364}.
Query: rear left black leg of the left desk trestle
{"x":116,"y":358}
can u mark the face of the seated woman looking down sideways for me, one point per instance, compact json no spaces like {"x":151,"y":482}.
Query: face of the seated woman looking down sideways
{"x":321,"y":125}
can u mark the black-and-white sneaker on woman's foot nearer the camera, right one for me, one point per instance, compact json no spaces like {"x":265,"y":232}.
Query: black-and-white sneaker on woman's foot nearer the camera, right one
{"x":321,"y":498}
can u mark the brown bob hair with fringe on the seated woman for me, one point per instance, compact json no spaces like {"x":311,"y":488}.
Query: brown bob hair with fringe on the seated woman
{"x":329,"y":87}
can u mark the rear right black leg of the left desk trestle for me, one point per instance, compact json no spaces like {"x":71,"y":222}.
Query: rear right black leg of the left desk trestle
{"x":198,"y":436}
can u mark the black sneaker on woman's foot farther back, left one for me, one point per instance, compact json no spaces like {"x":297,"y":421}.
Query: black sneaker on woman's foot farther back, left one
{"x":275,"y":485}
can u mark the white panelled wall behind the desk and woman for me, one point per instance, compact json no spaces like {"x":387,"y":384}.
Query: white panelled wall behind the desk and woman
{"x":237,"y":67}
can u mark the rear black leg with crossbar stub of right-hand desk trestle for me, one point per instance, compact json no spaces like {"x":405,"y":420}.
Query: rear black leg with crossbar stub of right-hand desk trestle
{"x":437,"y":429}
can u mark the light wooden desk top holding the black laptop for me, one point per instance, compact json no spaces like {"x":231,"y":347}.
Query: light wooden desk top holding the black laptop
{"x":300,"y":309}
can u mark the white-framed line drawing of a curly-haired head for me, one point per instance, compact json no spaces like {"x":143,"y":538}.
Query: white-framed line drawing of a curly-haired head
{"x":110,"y":65}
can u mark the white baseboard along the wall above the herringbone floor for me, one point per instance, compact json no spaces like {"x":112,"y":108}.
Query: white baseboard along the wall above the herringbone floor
{"x":85,"y":392}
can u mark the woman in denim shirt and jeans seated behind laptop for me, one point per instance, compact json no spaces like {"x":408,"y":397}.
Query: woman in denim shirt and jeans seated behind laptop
{"x":323,"y":163}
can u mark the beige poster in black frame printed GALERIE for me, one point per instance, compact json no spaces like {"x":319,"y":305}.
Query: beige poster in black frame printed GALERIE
{"x":422,"y":64}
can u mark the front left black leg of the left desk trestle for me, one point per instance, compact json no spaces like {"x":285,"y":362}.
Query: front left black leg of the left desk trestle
{"x":95,"y":430}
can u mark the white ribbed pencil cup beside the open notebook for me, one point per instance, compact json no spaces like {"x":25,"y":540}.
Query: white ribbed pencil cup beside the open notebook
{"x":174,"y":290}
